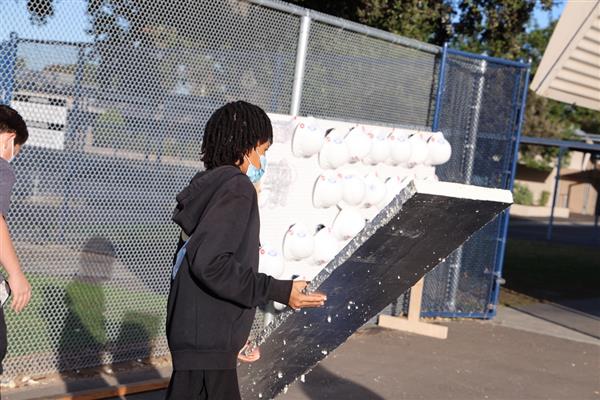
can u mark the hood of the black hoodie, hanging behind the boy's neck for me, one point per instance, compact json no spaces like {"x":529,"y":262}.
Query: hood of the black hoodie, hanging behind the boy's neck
{"x":193,"y":200}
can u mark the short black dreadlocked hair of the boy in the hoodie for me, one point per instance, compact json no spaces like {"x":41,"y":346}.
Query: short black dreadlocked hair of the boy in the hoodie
{"x":232,"y":131}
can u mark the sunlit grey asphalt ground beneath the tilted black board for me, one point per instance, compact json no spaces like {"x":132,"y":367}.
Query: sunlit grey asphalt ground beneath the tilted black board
{"x":479,"y":360}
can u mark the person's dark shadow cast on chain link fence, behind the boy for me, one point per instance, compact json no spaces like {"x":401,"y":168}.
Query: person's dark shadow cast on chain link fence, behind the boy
{"x":83,"y":343}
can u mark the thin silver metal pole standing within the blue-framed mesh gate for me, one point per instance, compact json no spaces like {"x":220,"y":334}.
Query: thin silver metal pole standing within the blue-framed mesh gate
{"x":471,"y":145}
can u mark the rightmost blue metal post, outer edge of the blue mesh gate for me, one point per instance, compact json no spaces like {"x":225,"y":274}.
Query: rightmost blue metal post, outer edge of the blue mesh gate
{"x":513,"y":170}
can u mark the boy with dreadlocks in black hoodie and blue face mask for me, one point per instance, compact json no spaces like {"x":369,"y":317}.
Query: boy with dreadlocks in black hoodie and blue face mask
{"x":215,"y":284}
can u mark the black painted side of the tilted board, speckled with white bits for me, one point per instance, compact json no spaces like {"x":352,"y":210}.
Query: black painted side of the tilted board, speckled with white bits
{"x":404,"y":242}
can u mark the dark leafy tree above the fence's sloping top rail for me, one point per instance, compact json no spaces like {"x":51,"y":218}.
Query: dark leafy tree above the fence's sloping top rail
{"x":498,"y":27}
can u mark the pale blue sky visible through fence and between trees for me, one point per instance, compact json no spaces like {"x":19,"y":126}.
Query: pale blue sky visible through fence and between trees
{"x":70,"y":22}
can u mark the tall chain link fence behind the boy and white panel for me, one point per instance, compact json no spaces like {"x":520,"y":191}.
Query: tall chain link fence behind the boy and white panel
{"x":117,"y":94}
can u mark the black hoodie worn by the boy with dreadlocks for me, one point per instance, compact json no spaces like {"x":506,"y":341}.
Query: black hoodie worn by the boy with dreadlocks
{"x":212,"y":299}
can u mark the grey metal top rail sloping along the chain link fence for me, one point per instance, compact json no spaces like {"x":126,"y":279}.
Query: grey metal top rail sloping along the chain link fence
{"x":348,"y":25}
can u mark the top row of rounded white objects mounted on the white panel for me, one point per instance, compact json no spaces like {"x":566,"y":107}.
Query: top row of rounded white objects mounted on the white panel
{"x":337,"y":147}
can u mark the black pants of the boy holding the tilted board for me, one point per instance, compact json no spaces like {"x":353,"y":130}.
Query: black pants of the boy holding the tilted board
{"x":204,"y":385}
